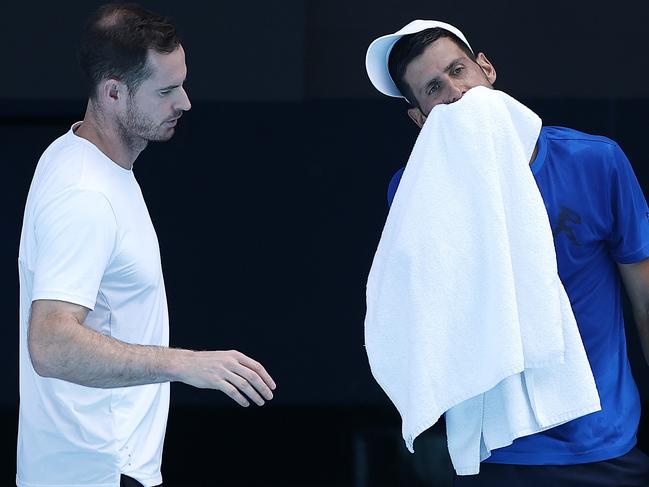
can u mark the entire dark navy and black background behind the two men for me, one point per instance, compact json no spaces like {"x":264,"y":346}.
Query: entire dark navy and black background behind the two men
{"x":270,"y":199}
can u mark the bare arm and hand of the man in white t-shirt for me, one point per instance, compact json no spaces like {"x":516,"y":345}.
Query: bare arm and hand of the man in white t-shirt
{"x":60,"y":346}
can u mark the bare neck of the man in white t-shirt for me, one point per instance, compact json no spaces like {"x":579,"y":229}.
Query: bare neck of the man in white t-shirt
{"x":105,"y":135}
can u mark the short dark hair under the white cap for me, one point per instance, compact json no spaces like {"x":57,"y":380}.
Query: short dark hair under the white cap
{"x":411,"y":46}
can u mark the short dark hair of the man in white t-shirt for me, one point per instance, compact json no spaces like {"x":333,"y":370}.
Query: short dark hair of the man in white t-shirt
{"x":115,"y":43}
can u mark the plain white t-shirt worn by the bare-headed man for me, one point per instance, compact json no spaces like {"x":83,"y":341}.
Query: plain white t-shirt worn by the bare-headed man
{"x":87,"y":238}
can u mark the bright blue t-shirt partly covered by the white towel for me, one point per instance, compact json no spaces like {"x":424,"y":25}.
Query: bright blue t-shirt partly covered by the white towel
{"x":599,"y":217}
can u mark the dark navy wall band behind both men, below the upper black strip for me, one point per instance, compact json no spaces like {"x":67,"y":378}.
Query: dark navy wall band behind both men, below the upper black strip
{"x":268,"y":215}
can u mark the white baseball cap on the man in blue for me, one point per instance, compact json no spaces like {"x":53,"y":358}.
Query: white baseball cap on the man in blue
{"x":378,"y":54}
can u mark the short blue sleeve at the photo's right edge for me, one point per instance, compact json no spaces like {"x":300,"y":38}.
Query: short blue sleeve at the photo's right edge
{"x":629,"y":238}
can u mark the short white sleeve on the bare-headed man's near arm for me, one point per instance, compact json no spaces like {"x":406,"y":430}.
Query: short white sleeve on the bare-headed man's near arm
{"x":75,"y":239}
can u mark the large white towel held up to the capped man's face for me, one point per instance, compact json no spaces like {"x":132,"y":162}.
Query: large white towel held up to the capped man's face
{"x":463,"y":294}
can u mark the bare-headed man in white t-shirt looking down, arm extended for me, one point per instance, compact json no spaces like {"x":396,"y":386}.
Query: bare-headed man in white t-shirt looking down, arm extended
{"x":95,"y":365}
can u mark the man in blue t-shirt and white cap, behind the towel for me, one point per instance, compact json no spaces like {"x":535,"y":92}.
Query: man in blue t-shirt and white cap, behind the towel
{"x":600,"y":222}
